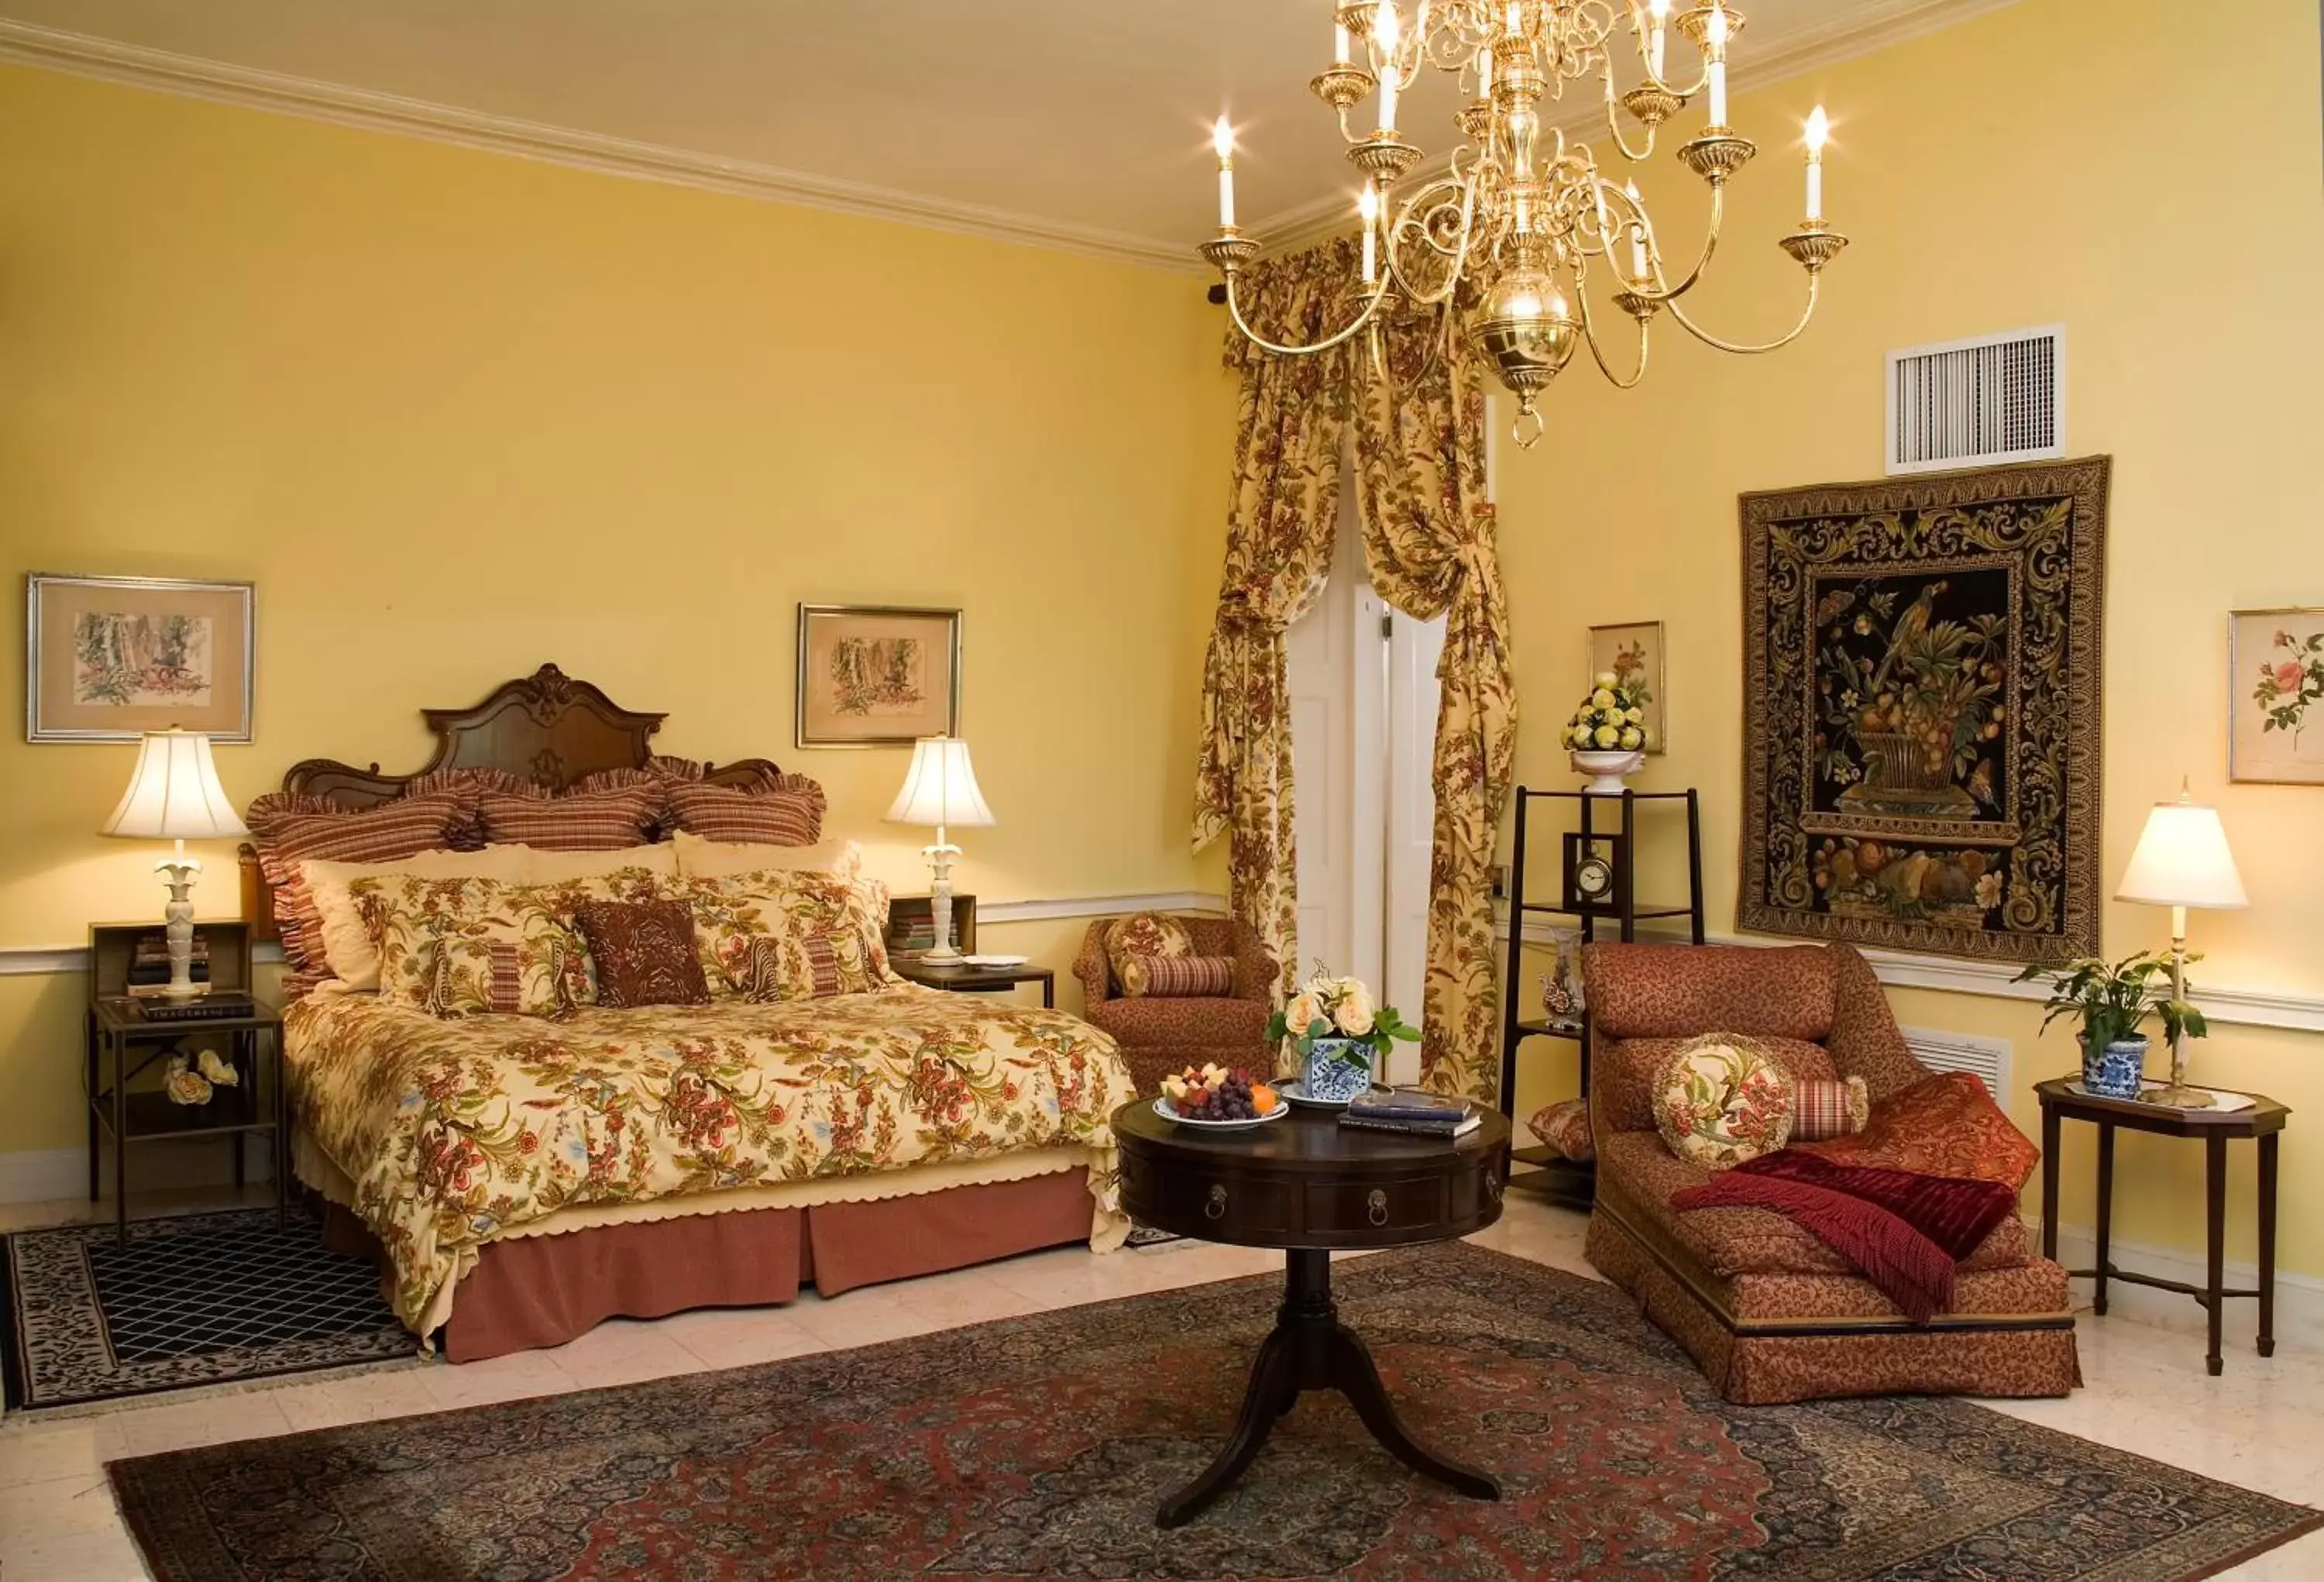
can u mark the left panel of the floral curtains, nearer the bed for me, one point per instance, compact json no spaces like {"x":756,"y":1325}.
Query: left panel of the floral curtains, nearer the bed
{"x":1279,"y":547}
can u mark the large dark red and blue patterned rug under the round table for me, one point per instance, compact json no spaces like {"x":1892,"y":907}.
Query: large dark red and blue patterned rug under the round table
{"x":1040,"y":1446}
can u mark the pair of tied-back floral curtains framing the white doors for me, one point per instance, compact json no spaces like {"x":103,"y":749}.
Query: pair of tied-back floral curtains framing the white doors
{"x":1430,"y":549}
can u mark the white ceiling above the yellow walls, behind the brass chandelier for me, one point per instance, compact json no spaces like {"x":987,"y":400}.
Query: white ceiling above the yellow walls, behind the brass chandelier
{"x":1079,"y":115}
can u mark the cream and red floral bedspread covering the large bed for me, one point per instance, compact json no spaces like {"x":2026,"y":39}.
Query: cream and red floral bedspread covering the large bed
{"x":457,"y":1130}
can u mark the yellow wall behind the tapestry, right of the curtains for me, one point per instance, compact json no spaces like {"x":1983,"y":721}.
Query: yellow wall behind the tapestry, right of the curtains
{"x":2128,"y":168}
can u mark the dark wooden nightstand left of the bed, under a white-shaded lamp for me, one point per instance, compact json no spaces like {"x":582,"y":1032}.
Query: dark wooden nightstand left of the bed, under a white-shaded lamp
{"x":131,"y":1035}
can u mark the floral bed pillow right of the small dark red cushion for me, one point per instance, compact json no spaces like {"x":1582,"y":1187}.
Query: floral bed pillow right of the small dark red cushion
{"x":787,"y":935}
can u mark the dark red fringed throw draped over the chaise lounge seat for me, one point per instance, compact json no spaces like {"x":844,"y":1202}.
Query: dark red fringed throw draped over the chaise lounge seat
{"x":1905,"y":1230}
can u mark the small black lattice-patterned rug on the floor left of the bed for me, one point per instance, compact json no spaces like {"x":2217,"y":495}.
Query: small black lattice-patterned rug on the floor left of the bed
{"x":199,"y":1300}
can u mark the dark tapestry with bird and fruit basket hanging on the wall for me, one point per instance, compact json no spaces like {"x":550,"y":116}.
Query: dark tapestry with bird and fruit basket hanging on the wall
{"x":1921,"y":691}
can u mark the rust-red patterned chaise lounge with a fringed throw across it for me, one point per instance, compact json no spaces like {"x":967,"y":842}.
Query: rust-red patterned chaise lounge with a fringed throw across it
{"x":1767,"y":1309}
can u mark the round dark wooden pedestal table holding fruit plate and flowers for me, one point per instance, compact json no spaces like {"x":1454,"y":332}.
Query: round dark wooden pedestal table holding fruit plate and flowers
{"x":1307,"y":1186}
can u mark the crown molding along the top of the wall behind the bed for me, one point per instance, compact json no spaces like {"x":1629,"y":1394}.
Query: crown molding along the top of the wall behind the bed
{"x":617,"y":157}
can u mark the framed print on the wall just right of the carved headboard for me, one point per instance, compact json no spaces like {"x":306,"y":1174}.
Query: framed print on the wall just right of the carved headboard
{"x":877,"y":675}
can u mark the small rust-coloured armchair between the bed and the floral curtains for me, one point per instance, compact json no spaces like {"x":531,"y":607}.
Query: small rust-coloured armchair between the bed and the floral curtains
{"x":1163,"y":1035}
